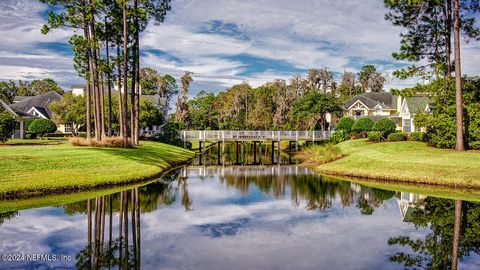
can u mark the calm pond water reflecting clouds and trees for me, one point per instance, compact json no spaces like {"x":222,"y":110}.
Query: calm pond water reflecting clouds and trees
{"x":244,"y":217}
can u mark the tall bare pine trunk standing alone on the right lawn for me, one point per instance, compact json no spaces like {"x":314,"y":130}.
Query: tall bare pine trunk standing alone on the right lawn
{"x":458,"y":79}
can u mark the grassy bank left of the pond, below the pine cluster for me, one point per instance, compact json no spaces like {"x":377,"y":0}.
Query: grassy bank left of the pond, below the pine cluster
{"x":31,"y":170}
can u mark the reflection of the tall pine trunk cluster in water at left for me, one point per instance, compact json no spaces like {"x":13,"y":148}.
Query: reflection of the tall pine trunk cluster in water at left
{"x":122,"y":252}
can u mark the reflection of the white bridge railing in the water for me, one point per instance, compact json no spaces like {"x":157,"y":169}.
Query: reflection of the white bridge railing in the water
{"x":244,"y":171}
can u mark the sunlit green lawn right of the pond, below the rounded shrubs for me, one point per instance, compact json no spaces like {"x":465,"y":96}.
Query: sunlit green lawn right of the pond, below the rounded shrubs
{"x":413,"y":162}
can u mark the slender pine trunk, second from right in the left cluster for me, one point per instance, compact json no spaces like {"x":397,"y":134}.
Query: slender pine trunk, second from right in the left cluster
{"x":125,"y":75}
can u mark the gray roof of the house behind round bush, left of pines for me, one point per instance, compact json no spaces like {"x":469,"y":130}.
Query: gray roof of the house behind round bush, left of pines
{"x":41,"y":101}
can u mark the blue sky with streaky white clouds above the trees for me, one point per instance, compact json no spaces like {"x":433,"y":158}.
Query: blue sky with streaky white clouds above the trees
{"x":225,"y":42}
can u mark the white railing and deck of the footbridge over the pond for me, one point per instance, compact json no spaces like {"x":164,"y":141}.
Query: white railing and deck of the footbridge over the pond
{"x":244,"y":135}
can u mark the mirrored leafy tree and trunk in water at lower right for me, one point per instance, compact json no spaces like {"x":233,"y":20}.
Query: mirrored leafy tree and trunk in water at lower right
{"x":455,"y":232}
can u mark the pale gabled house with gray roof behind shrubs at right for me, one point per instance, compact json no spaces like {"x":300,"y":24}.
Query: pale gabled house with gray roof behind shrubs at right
{"x":378,"y":105}
